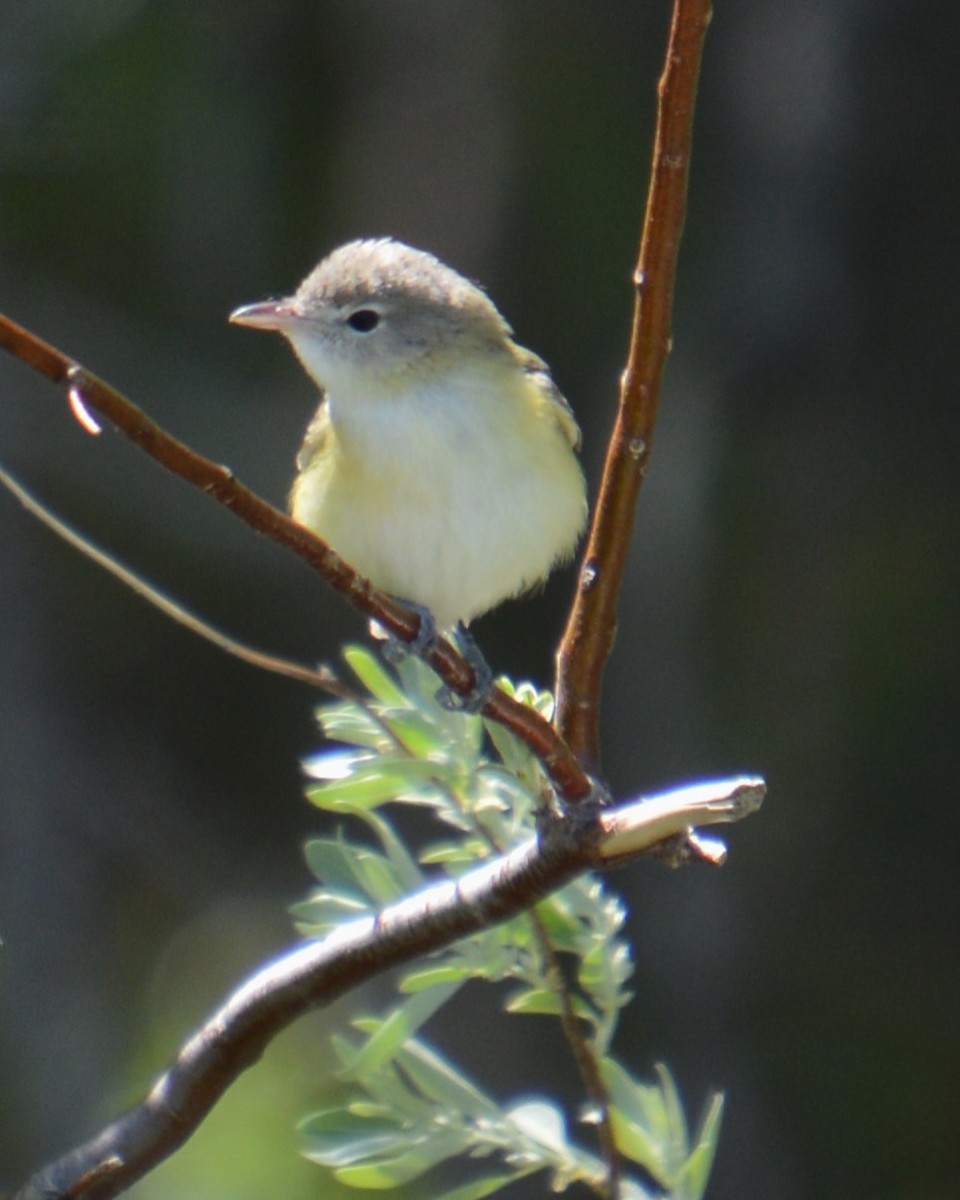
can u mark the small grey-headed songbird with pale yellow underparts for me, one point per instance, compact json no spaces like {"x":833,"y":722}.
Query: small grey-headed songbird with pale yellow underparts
{"x":442,"y":460}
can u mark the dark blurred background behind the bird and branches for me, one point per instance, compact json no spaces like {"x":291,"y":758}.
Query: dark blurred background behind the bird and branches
{"x":791,"y":605}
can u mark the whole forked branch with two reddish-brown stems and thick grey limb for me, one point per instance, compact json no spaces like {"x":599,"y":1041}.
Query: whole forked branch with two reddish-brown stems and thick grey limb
{"x":580,"y":841}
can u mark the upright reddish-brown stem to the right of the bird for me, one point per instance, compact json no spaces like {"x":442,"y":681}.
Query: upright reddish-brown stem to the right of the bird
{"x":592,"y":626}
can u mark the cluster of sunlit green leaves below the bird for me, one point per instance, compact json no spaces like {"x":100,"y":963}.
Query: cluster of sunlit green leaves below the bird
{"x":410,"y":1108}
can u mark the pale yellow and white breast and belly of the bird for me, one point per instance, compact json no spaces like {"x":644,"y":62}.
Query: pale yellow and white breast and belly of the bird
{"x":455,"y":497}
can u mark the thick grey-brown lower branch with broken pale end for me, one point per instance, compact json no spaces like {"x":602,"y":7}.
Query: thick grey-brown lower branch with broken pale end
{"x":317,"y":974}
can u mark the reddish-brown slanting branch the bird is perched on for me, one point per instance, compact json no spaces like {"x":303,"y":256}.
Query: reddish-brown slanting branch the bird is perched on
{"x":86,"y":389}
